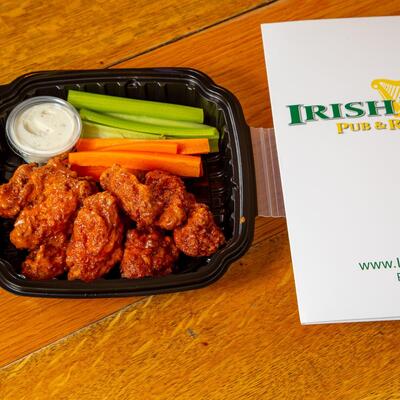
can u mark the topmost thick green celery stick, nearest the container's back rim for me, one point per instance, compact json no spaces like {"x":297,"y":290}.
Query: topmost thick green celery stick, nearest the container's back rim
{"x":113,"y":104}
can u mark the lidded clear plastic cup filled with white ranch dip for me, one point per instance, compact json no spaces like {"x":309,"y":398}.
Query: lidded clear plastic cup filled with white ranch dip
{"x":43,"y":127}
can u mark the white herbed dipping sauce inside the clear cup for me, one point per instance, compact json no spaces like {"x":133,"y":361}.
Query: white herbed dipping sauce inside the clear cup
{"x":45,"y":127}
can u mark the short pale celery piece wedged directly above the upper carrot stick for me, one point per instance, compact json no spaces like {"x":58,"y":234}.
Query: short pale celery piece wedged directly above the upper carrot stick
{"x":91,"y":130}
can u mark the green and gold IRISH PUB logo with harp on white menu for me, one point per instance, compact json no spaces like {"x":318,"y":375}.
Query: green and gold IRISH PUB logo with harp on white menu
{"x":388,"y":106}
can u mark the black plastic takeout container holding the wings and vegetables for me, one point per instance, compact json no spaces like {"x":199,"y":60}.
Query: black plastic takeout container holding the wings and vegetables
{"x":228,"y":185}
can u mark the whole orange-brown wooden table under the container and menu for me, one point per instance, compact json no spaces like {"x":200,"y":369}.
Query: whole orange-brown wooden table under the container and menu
{"x":237,"y":339}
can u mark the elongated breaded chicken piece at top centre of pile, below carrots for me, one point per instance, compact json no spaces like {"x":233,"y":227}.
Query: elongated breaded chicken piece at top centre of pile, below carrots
{"x":135,"y":198}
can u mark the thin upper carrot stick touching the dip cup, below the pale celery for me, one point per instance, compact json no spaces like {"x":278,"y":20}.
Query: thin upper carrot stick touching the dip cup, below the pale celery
{"x":162,"y":146}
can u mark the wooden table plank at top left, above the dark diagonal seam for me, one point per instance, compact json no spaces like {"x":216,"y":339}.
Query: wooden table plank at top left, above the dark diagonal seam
{"x":40,"y":35}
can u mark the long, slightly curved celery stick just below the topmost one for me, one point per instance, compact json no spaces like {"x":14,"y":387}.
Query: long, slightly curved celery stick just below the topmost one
{"x":207,"y":132}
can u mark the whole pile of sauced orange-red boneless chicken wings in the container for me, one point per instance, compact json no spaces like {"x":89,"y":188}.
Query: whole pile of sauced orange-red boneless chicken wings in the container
{"x":68,"y":227}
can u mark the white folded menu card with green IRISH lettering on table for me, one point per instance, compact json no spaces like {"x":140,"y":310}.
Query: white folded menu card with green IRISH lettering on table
{"x":335,"y":88}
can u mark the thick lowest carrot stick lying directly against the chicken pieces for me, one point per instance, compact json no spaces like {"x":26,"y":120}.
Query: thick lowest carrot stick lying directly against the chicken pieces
{"x":176,"y":164}
